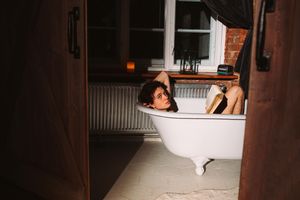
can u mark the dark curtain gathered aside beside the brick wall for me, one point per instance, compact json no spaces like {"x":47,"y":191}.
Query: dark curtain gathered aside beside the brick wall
{"x":237,"y":14}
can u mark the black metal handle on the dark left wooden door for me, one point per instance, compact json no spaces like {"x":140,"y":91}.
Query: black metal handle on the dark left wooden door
{"x":73,"y":17}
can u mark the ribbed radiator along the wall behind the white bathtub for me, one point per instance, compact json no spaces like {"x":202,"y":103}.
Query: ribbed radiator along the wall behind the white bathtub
{"x":112,"y":107}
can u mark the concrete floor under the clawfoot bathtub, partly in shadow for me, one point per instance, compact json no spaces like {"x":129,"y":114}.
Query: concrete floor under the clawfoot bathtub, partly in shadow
{"x":137,"y":170}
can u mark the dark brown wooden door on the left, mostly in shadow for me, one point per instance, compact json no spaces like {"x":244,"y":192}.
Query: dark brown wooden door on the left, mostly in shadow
{"x":44,"y":137}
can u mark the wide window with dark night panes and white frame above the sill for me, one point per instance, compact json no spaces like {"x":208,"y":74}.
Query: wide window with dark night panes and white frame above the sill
{"x":155,"y":34}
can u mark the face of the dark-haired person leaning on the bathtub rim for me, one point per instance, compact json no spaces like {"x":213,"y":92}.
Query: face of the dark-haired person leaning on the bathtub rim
{"x":160,"y":99}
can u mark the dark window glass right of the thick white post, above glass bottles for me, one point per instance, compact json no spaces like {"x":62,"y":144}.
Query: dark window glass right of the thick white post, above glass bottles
{"x":192,"y":30}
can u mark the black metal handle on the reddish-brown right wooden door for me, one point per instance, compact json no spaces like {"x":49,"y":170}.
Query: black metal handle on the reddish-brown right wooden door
{"x":263,"y":57}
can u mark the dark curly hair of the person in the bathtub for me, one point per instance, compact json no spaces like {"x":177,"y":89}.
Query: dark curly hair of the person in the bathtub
{"x":147,"y":92}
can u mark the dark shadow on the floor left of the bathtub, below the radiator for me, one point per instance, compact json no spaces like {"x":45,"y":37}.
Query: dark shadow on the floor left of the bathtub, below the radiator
{"x":108,"y":158}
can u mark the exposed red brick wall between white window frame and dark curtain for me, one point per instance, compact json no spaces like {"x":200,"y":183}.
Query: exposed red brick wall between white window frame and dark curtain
{"x":233,"y":44}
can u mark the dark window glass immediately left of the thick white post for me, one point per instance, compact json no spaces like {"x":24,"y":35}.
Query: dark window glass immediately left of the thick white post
{"x":146,"y":29}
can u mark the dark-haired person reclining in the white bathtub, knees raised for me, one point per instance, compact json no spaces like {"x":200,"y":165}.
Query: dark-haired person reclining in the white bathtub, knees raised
{"x":157,"y":95}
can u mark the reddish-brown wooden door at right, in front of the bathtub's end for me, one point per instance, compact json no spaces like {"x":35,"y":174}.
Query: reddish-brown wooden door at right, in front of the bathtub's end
{"x":271,"y":157}
